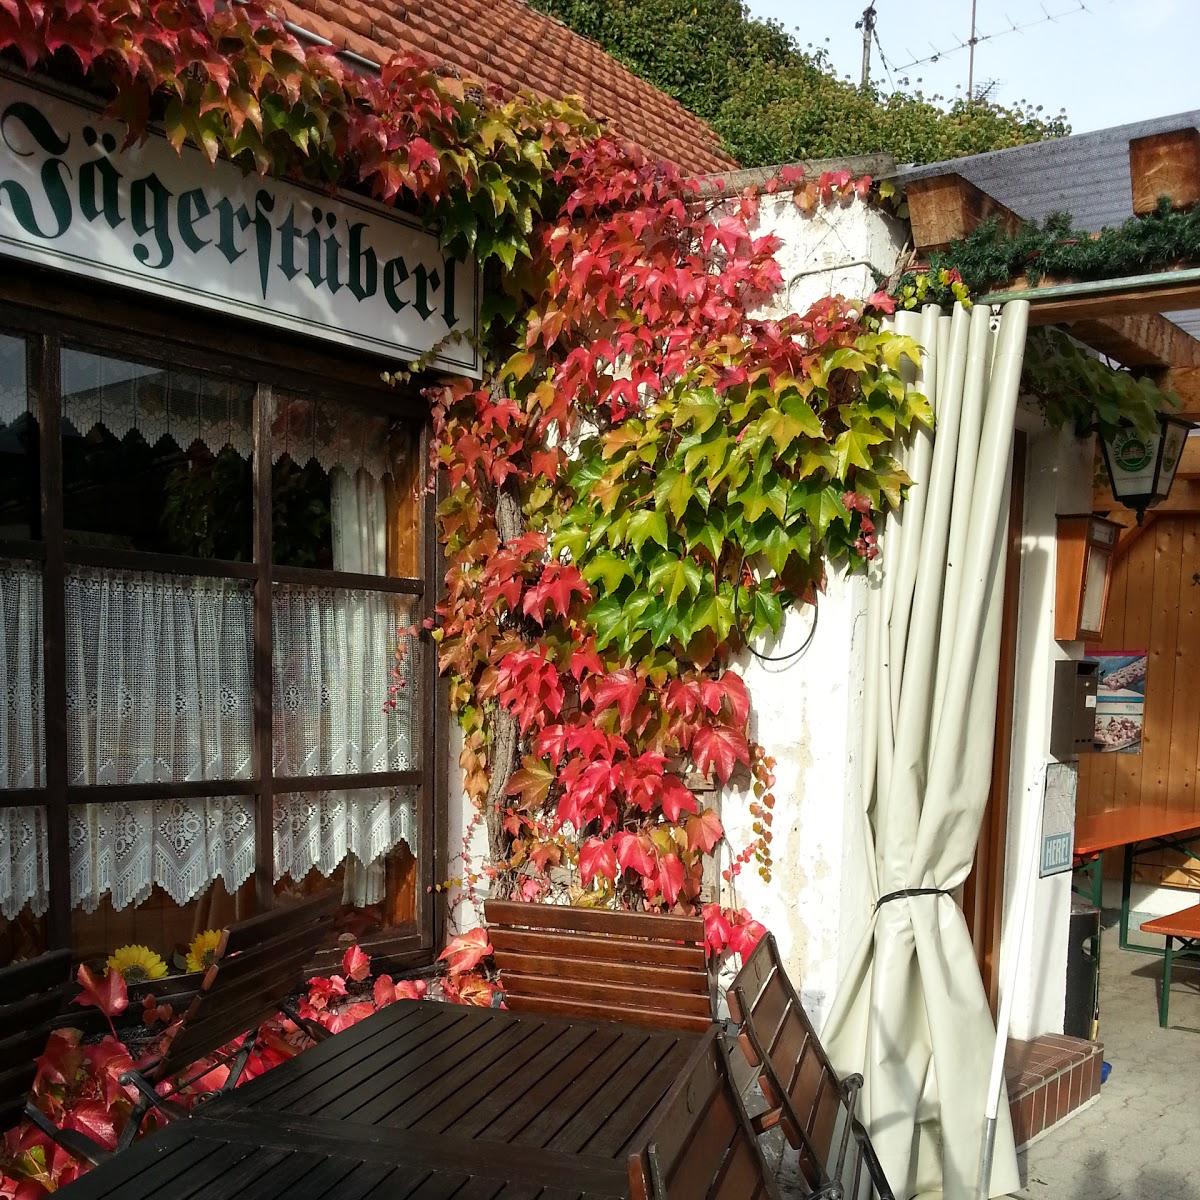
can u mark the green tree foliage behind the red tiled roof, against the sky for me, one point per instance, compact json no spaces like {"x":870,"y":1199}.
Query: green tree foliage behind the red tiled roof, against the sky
{"x":772,"y":103}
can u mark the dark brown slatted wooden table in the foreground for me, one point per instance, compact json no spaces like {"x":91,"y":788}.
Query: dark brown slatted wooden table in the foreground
{"x":451,"y":1101}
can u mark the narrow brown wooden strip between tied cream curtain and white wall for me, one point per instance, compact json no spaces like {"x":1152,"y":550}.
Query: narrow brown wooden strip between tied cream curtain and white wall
{"x":983,"y":895}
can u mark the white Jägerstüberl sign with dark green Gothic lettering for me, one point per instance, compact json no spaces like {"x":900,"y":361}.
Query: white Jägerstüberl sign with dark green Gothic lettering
{"x":339,"y":268}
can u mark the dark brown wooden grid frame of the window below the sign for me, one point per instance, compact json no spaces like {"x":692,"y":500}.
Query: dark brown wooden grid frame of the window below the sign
{"x":50,"y":313}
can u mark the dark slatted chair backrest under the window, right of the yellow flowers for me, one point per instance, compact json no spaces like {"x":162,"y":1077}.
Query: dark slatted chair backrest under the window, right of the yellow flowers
{"x":260,"y":962}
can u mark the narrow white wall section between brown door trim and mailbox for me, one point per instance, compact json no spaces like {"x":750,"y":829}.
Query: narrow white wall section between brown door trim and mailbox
{"x":1059,"y":481}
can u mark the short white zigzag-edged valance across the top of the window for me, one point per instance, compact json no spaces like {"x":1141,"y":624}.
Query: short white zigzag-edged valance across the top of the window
{"x":190,"y":407}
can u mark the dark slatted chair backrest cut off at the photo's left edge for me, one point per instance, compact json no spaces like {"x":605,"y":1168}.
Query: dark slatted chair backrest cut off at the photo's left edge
{"x":32,"y":997}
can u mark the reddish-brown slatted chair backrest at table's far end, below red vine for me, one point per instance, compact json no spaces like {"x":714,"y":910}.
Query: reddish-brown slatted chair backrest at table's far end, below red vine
{"x":646,"y":969}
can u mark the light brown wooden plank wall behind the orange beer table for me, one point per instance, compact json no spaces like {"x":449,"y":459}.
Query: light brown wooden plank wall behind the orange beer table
{"x":1155,"y":604}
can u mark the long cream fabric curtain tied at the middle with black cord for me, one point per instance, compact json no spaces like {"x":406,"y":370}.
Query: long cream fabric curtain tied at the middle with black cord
{"x":911,"y":1013}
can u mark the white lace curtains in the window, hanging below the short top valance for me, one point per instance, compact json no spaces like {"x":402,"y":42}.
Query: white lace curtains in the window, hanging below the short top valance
{"x":159,"y":689}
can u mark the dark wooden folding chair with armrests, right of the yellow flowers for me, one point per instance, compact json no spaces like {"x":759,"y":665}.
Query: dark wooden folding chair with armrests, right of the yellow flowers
{"x":259,"y":964}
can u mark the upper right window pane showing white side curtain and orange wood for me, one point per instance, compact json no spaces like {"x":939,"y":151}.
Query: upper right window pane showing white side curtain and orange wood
{"x":344,"y":489}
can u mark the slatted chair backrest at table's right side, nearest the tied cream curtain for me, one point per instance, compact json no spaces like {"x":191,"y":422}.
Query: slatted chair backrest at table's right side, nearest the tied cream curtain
{"x":800,"y":1084}
